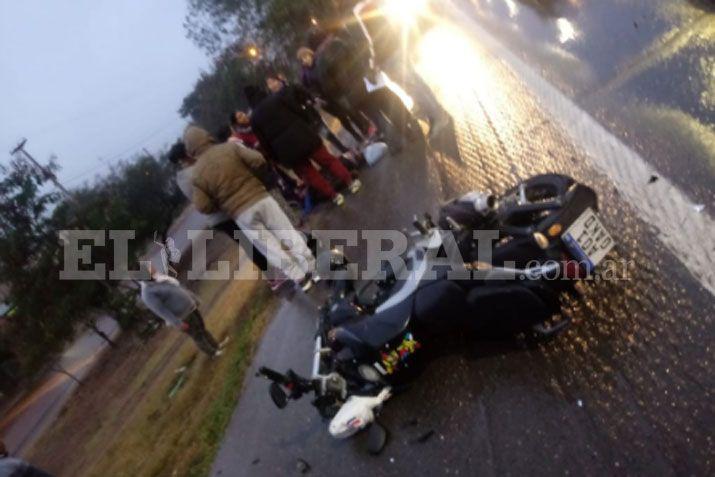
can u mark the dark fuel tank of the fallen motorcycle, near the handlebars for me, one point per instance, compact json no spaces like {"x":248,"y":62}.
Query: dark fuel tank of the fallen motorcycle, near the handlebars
{"x":377,"y":330}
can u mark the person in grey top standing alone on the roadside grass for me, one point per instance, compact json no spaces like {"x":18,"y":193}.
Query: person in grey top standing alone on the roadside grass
{"x":178,"y":307}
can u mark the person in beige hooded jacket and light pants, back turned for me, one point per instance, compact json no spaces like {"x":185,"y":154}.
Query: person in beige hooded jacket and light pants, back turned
{"x":224,"y":180}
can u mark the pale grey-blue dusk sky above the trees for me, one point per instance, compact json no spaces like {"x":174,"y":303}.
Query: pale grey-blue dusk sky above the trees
{"x":93,"y":81}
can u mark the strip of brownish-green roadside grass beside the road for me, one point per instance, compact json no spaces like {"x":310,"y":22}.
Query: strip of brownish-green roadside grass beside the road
{"x":123,"y":423}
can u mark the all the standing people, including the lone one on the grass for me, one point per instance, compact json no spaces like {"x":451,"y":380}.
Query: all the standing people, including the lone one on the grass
{"x":239,"y":182}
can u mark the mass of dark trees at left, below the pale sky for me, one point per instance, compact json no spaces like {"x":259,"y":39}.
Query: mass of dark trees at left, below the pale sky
{"x":137,"y":195}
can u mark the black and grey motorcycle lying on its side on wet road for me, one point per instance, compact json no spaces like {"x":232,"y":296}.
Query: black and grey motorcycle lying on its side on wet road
{"x":549,"y":236}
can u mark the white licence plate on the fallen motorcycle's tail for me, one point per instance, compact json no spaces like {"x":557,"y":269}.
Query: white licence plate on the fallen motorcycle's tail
{"x":588,"y":240}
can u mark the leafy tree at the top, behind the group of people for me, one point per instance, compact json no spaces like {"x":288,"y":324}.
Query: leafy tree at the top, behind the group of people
{"x":224,"y":29}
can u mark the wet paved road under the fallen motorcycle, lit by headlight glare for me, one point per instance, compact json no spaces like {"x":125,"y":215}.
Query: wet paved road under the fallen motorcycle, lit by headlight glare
{"x":627,"y":390}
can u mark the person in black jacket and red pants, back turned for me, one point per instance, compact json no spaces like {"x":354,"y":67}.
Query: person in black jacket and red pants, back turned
{"x":281,"y":122}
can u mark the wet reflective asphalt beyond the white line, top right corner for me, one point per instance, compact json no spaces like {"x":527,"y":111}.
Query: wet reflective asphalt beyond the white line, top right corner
{"x":643,"y":68}
